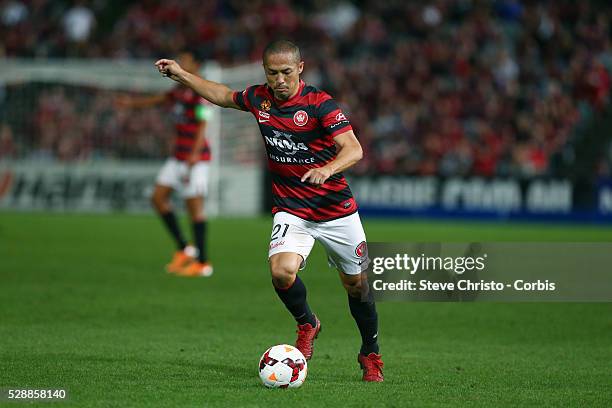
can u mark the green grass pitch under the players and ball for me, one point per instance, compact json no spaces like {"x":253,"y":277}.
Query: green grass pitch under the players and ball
{"x":85,"y":305}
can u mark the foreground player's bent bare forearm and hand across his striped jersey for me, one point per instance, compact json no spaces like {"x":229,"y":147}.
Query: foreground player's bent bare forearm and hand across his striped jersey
{"x":349,"y":152}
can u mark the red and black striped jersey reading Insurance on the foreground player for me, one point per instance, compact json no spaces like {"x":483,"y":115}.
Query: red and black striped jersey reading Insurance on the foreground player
{"x":299,"y":135}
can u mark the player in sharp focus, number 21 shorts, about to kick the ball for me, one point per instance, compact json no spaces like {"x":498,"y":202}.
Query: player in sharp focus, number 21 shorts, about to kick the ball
{"x":309,"y":142}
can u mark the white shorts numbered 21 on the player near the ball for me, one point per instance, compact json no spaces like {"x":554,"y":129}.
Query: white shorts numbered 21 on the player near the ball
{"x":343,"y":239}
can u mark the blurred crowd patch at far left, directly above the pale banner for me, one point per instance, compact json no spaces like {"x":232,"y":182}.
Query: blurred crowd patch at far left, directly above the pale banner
{"x":81,"y":123}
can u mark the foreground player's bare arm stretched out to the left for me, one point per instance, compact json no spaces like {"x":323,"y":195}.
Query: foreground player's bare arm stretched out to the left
{"x":214,"y":92}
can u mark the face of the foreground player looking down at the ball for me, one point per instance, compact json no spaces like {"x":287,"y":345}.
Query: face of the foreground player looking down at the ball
{"x":283,"y":74}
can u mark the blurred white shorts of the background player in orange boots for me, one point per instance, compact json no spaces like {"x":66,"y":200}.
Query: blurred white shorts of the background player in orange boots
{"x":188,"y":182}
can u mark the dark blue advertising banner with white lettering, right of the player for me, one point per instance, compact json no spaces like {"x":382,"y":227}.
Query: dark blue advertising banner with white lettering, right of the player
{"x":508,"y":198}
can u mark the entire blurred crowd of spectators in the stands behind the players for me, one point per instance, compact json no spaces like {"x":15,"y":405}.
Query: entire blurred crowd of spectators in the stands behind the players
{"x":449,"y":87}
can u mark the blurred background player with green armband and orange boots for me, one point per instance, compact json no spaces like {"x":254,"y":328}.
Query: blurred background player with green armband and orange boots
{"x":186,"y":171}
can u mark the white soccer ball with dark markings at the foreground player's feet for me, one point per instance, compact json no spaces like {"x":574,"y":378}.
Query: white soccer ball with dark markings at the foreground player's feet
{"x":282,"y":366}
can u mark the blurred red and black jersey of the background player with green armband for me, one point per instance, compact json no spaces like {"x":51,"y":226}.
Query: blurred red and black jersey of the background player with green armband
{"x":189,"y":110}
